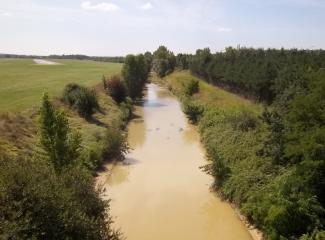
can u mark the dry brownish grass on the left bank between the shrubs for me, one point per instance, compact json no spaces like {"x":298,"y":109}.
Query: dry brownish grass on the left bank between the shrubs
{"x":18,"y":130}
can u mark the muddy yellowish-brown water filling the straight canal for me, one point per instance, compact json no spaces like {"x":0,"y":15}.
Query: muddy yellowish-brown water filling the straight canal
{"x":159,"y":192}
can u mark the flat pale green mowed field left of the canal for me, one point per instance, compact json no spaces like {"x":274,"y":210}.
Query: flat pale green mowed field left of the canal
{"x":22,"y":82}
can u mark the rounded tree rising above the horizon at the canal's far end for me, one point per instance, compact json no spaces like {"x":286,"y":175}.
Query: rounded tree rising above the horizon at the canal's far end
{"x":164,"y":61}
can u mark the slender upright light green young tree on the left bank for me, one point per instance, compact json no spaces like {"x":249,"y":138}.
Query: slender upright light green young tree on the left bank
{"x":60,"y":144}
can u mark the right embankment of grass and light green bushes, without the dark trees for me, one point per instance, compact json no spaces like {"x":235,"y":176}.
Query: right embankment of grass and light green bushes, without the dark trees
{"x":232,"y":133}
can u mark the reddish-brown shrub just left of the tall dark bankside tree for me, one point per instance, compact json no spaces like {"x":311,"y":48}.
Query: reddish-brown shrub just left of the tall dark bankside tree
{"x":117,"y":89}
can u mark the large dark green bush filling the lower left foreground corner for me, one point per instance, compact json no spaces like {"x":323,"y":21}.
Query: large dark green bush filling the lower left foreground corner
{"x":36,"y":203}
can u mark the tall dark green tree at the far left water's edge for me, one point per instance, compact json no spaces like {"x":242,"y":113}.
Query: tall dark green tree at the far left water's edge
{"x":135,"y":72}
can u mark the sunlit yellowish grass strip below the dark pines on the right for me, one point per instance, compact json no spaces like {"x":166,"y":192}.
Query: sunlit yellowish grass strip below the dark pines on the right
{"x":211,"y":95}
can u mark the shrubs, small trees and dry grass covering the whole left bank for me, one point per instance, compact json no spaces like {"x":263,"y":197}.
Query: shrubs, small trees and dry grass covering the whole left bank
{"x":48,"y":159}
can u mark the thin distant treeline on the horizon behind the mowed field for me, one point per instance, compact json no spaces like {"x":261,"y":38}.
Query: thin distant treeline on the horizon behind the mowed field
{"x":118,"y":59}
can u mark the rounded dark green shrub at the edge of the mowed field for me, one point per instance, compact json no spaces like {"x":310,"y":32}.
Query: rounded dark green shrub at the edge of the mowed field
{"x":81,"y":99}
